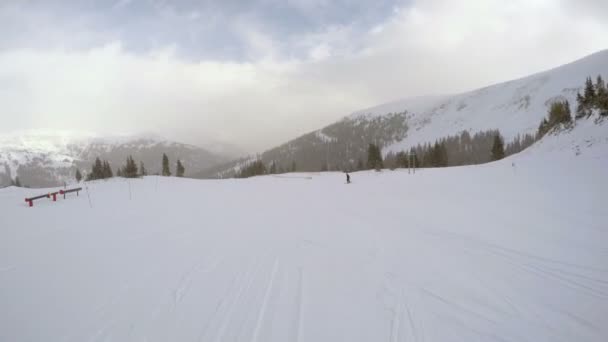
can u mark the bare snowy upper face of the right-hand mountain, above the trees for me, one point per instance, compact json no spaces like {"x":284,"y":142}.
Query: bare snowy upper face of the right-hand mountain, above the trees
{"x":514,"y":107}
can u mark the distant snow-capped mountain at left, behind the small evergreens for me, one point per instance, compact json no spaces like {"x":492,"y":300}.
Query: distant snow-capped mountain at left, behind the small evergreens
{"x":43,"y":159}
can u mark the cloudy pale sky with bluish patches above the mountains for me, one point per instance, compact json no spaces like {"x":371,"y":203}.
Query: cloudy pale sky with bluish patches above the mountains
{"x":256,"y":73}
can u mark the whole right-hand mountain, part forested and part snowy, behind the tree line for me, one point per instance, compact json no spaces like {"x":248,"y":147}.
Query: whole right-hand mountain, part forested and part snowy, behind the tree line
{"x":515,"y":108}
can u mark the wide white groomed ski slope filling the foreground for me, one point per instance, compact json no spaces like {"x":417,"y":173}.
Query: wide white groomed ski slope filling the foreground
{"x":512,"y":251}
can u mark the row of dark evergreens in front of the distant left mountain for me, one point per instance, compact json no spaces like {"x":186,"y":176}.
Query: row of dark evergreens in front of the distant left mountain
{"x":101,"y":169}
